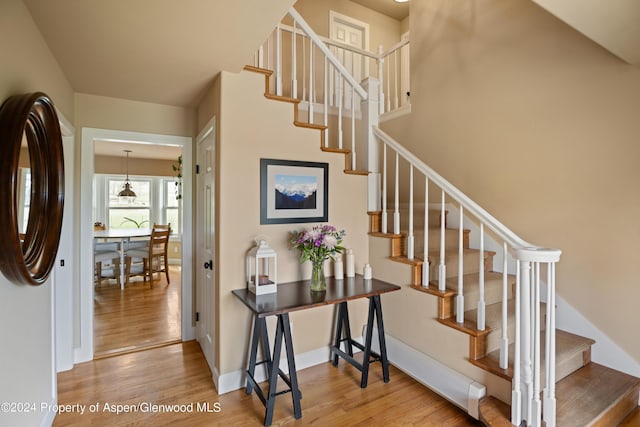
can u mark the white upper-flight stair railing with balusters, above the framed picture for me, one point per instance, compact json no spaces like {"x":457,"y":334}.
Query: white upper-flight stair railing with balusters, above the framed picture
{"x":319,"y":72}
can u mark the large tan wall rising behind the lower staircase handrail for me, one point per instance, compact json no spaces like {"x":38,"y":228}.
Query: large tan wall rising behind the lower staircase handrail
{"x":540,"y":126}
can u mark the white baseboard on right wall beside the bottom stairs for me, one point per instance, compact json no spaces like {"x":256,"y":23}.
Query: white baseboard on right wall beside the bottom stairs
{"x":604,"y":351}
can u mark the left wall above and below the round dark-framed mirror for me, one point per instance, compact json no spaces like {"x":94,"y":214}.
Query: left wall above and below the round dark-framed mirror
{"x":26,"y":368}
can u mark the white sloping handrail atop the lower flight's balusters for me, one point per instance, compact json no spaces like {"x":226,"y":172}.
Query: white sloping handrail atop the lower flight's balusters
{"x":527,"y":250}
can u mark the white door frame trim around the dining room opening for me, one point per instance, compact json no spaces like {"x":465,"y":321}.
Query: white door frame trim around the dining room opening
{"x":84,"y":352}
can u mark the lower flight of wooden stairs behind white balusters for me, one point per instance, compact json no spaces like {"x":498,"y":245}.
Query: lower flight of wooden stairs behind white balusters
{"x":587,"y":393}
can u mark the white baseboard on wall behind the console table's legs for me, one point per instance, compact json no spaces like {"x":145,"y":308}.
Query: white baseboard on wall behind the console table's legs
{"x":236,"y":380}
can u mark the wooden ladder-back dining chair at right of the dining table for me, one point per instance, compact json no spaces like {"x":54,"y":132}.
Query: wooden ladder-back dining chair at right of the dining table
{"x":154,"y":256}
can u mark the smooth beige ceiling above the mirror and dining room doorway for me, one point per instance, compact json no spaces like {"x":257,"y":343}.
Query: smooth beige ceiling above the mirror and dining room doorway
{"x":159,"y":51}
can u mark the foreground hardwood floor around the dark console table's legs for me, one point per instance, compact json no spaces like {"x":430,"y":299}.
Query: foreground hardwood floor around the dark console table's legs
{"x":179,"y":375}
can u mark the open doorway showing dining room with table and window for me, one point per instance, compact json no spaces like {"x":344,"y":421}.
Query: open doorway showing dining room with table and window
{"x":133,"y":313}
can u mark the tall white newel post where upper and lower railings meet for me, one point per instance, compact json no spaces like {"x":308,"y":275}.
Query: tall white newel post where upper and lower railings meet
{"x":371,"y":118}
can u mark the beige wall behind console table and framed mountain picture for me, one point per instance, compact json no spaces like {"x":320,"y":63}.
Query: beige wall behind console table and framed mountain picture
{"x":252,"y":127}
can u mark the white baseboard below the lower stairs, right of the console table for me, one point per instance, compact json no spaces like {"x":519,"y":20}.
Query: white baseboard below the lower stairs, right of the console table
{"x":452,"y":385}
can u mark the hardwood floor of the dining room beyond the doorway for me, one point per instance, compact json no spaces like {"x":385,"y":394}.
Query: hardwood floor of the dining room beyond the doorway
{"x":140,"y":316}
